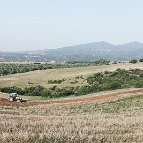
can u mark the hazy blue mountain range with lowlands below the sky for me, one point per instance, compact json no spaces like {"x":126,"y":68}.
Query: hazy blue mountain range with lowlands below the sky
{"x":82,"y":52}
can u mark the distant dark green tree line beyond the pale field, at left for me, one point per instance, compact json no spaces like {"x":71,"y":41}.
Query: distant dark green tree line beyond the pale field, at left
{"x":12,"y":68}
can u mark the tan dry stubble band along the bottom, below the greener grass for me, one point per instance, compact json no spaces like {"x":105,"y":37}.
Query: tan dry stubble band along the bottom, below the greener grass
{"x":88,"y":128}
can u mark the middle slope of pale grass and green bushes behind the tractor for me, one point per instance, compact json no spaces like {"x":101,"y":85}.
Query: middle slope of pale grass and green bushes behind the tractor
{"x":54,"y":83}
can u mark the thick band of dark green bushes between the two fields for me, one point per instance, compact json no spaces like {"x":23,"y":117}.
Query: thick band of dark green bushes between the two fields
{"x":102,"y":81}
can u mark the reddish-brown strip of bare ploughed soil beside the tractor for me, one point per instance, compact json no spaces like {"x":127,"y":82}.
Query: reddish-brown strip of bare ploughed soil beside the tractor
{"x":4,"y":102}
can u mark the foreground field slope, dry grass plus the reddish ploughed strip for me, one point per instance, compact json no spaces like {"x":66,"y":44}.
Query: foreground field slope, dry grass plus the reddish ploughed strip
{"x":115,"y":118}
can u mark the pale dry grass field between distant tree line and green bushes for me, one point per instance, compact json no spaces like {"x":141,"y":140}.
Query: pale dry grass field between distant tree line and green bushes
{"x":69,"y":74}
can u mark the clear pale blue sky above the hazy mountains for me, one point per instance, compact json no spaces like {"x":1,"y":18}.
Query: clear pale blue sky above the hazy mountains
{"x":48,"y":24}
